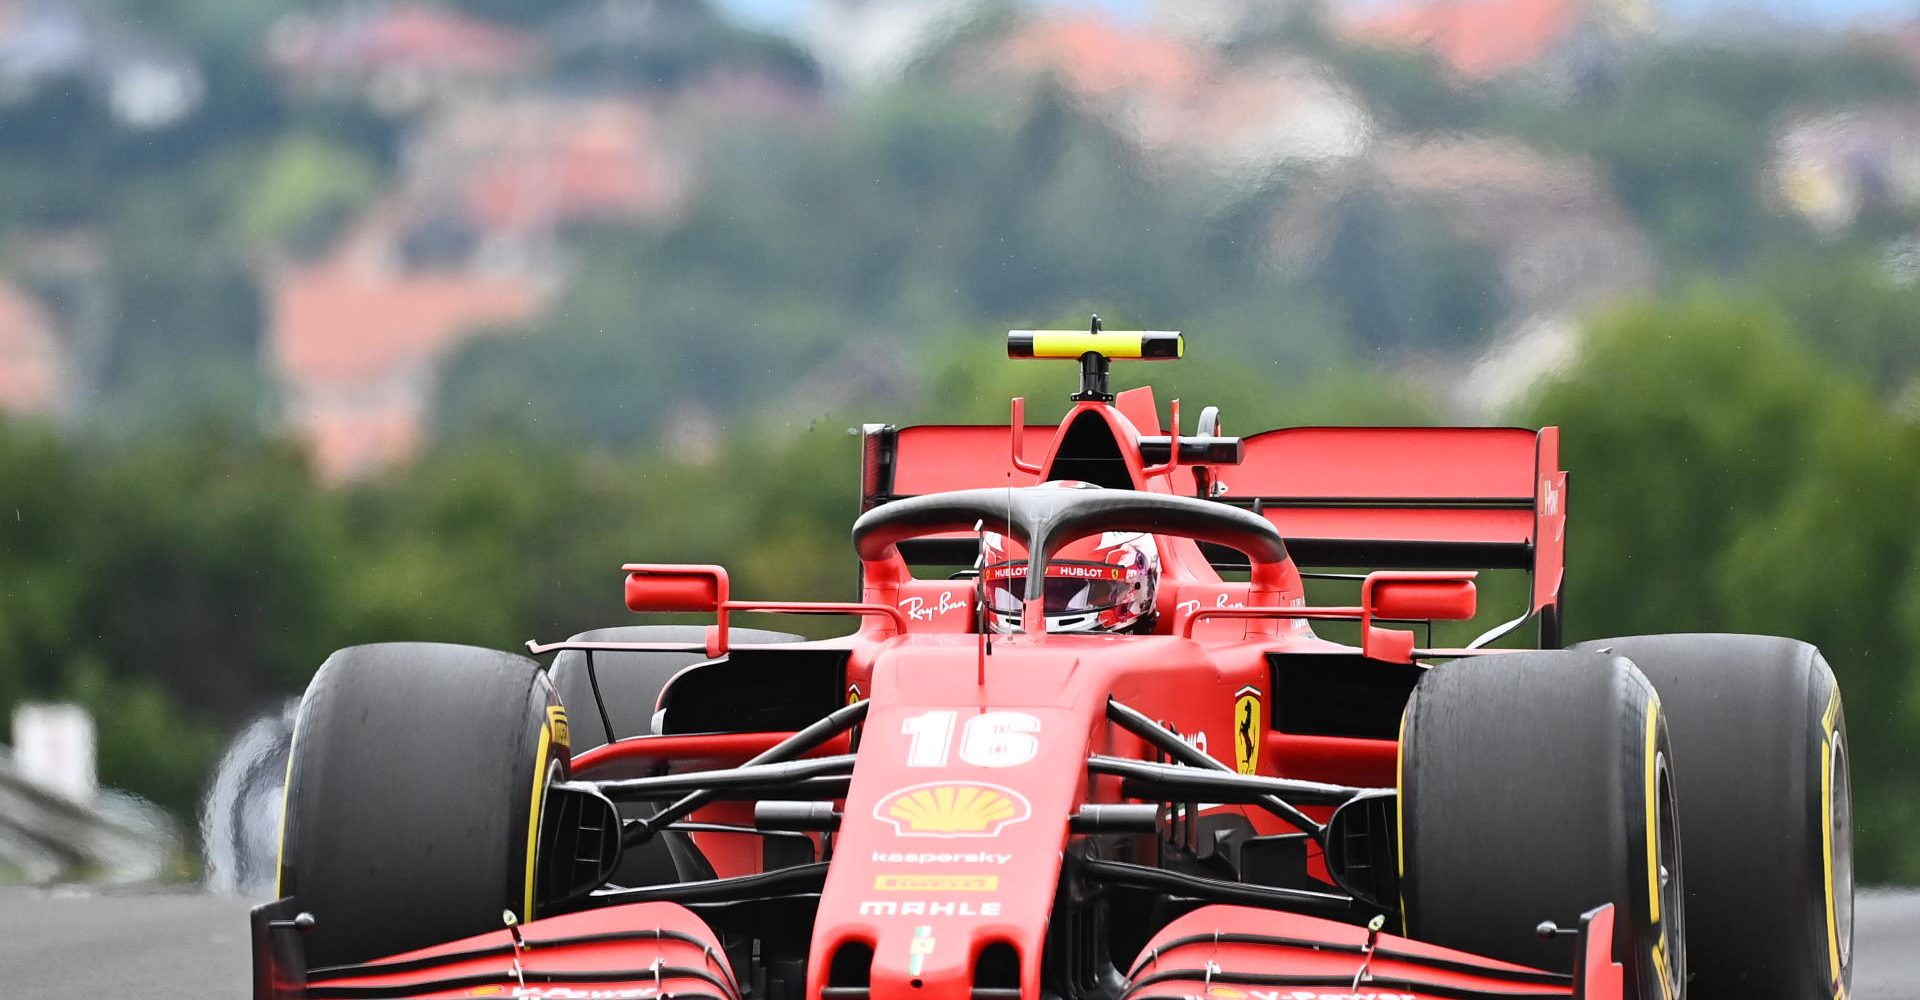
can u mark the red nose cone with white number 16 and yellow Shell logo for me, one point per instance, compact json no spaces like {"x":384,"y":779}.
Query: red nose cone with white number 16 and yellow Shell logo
{"x":949,"y":849}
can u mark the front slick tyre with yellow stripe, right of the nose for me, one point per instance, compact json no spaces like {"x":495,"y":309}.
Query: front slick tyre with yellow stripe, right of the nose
{"x":1539,"y":786}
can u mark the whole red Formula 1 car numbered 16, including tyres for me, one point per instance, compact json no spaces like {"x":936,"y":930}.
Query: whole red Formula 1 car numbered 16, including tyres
{"x":1086,"y":744}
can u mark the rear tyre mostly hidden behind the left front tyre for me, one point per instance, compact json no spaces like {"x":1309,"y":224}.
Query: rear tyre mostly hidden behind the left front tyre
{"x":629,"y":684}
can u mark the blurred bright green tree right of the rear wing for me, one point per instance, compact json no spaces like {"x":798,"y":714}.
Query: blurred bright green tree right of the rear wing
{"x":1727,"y":479}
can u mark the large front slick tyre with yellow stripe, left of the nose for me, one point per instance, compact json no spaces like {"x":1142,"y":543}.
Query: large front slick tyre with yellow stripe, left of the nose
{"x":414,"y":796}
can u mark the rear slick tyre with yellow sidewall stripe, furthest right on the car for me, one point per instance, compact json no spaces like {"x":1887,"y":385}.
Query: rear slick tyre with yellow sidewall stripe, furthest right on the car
{"x":1762,"y":751}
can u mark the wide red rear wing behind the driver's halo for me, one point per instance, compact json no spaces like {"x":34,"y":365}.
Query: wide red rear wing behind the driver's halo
{"x":1343,"y":498}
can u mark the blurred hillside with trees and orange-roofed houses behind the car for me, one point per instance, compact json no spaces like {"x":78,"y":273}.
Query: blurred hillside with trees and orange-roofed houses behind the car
{"x":348,"y":321}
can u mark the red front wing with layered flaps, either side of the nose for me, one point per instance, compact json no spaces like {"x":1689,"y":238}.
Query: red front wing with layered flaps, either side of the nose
{"x":661,"y":951}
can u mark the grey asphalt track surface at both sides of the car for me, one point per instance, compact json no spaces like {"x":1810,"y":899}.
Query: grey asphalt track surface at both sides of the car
{"x":62,"y":945}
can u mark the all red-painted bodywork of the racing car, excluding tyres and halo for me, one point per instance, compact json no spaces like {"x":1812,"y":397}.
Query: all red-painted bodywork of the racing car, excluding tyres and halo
{"x":971,"y":765}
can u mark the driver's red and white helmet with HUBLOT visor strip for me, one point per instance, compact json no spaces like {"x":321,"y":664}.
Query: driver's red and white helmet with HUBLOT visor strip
{"x":1093,"y":584}
